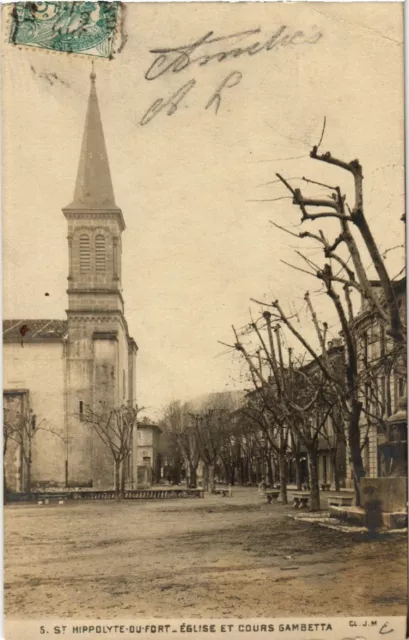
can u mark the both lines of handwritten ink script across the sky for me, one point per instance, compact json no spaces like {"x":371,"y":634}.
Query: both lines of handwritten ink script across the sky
{"x":210,"y":48}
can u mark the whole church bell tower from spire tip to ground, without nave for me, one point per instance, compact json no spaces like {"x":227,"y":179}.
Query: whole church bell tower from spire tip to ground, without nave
{"x":100,"y":358}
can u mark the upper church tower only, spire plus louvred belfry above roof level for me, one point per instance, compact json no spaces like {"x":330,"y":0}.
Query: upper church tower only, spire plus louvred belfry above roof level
{"x":95,"y":224}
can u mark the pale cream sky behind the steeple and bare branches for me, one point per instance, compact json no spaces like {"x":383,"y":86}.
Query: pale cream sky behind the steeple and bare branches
{"x":197,"y":185}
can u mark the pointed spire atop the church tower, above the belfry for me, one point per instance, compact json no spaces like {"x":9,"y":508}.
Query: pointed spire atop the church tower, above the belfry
{"x":93,"y":188}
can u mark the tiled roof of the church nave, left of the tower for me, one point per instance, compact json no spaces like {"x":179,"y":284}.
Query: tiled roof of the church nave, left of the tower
{"x":33,"y":330}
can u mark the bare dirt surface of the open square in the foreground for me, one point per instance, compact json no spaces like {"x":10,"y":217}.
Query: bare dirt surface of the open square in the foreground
{"x":212,"y":557}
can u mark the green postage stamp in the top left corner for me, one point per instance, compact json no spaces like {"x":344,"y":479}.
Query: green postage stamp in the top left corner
{"x":74,"y":27}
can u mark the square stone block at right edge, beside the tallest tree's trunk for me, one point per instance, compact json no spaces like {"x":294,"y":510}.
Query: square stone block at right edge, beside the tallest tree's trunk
{"x":392,"y":493}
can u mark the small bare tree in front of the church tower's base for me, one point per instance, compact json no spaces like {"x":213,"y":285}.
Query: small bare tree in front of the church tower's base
{"x":115,"y":427}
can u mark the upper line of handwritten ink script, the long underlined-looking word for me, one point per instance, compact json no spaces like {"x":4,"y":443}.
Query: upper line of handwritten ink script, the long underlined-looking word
{"x":202,"y":51}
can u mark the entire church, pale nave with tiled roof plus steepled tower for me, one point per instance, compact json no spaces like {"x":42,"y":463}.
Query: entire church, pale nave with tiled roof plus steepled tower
{"x":55,"y":369}
